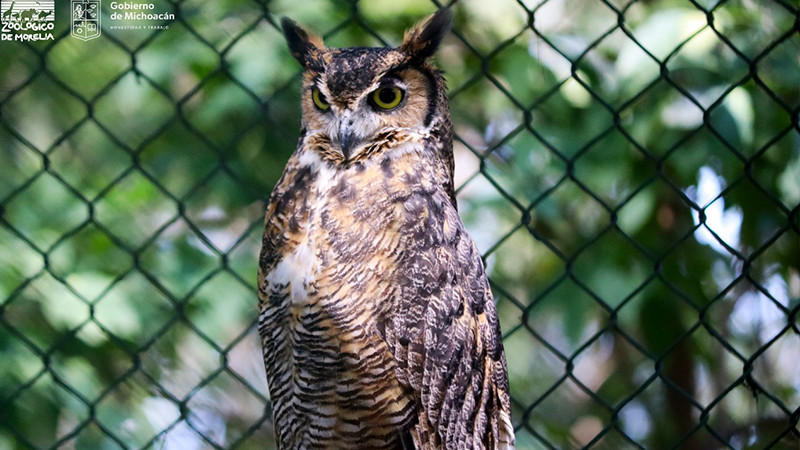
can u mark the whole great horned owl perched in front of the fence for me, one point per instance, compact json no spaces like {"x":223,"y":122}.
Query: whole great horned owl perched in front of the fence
{"x":376,"y":318}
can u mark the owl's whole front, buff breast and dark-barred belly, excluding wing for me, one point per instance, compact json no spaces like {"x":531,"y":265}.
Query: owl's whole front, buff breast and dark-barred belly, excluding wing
{"x":328,"y":294}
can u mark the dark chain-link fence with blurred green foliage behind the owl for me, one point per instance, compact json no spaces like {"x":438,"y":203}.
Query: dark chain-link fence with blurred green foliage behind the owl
{"x":630,"y":169}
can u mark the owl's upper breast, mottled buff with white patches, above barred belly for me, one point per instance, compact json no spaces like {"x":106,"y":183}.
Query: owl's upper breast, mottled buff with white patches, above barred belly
{"x":336,"y":233}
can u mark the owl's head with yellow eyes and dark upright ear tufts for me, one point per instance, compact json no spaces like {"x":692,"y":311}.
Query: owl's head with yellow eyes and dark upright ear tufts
{"x":353,"y":96}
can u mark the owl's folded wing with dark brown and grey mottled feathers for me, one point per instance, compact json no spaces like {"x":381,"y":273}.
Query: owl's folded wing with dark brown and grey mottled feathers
{"x":445,"y":333}
